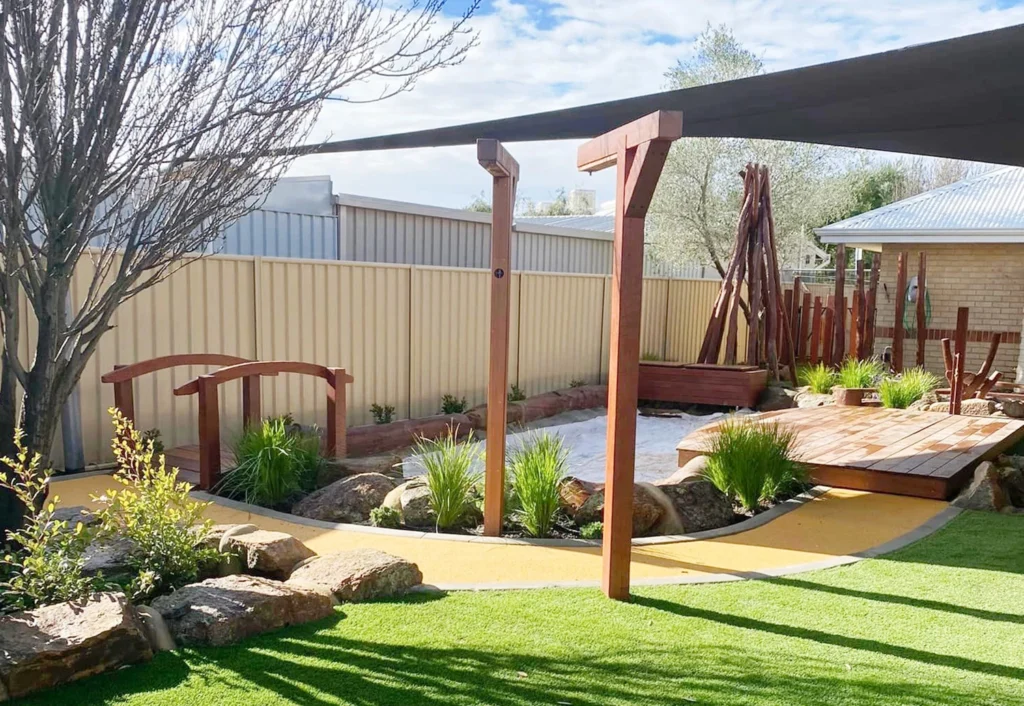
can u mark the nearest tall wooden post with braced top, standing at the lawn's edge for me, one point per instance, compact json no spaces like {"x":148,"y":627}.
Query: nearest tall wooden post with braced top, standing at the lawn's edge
{"x":639,"y":150}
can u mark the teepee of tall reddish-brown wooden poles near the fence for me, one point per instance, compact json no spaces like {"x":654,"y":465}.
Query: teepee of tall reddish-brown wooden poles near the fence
{"x":754,"y":264}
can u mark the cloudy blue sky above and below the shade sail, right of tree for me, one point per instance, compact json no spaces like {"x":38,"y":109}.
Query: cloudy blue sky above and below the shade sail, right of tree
{"x":537,"y":56}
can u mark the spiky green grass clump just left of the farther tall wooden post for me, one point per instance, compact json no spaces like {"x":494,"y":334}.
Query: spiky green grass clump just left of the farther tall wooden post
{"x":451,"y":477}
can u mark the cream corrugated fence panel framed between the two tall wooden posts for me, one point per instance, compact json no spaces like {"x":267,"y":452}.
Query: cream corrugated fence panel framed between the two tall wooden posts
{"x":561,"y":329}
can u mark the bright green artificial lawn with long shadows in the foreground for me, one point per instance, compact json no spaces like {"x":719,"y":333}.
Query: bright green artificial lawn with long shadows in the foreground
{"x":941,"y":622}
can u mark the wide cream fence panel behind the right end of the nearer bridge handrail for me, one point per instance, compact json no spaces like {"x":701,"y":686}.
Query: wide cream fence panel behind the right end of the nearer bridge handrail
{"x":350,"y":316}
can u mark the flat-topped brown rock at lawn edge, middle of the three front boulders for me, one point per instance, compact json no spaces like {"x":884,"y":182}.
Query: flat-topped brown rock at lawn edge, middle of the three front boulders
{"x":227,"y":610}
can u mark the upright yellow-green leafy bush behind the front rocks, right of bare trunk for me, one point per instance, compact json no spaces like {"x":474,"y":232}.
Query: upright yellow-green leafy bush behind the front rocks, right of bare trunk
{"x":155,"y":514}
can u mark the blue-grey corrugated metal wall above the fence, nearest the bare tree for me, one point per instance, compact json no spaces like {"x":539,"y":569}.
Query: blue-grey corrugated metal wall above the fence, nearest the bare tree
{"x":277,"y":234}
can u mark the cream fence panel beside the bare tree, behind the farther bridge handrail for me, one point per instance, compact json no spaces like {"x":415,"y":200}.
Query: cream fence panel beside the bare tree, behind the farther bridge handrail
{"x":207,"y":307}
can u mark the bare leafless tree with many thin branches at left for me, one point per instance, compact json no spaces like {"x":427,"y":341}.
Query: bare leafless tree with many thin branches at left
{"x":133,"y":132}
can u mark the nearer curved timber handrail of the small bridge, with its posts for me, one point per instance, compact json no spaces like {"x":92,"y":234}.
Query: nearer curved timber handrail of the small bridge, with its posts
{"x":209,"y":410}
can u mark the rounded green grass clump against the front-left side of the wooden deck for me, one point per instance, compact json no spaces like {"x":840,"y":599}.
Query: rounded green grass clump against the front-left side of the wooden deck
{"x":754,"y":463}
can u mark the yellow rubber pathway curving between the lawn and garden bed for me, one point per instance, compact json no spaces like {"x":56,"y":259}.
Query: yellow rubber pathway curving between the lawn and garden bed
{"x":836,"y":525}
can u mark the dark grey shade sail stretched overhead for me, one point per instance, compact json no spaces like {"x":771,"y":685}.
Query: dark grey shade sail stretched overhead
{"x":962,"y":99}
